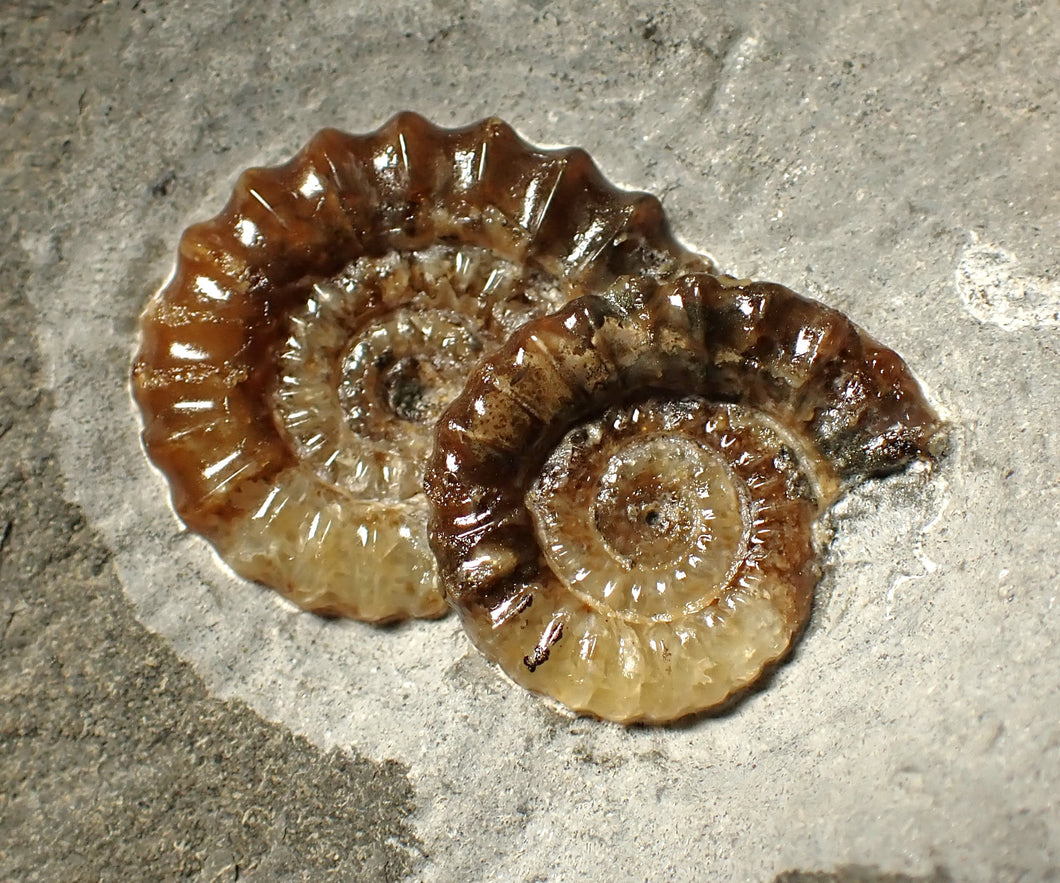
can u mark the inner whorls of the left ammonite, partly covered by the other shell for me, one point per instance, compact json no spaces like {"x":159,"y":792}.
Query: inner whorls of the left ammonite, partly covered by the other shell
{"x":378,"y":352}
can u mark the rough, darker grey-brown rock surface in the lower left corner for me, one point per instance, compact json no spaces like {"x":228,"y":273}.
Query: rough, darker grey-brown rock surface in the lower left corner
{"x":116,"y":763}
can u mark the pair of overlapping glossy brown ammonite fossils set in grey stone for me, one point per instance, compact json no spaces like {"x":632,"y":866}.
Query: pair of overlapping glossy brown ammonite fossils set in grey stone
{"x":432,"y":367}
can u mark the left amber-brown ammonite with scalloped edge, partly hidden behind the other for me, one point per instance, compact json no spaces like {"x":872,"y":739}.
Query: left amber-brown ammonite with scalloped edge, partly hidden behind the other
{"x":292,"y":370}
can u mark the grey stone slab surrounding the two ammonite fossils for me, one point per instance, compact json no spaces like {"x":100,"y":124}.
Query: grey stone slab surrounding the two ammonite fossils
{"x":158,"y":718}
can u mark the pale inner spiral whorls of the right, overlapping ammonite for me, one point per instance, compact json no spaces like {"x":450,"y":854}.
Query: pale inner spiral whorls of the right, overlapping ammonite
{"x":645,"y":525}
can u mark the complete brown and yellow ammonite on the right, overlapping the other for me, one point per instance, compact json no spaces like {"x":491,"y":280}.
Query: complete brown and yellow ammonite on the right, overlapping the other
{"x":625,"y":495}
